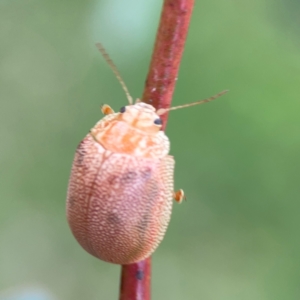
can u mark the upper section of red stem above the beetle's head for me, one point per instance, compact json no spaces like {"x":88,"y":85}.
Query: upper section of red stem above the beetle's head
{"x":168,"y":49}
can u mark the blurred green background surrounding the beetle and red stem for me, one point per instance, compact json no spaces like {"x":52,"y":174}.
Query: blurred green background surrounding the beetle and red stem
{"x":237,"y":158}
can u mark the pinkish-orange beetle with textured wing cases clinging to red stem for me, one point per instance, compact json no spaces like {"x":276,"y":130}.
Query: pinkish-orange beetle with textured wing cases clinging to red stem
{"x":120,"y":190}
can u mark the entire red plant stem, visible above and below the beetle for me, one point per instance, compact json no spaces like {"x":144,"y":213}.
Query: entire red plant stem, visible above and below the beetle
{"x":158,"y":91}
